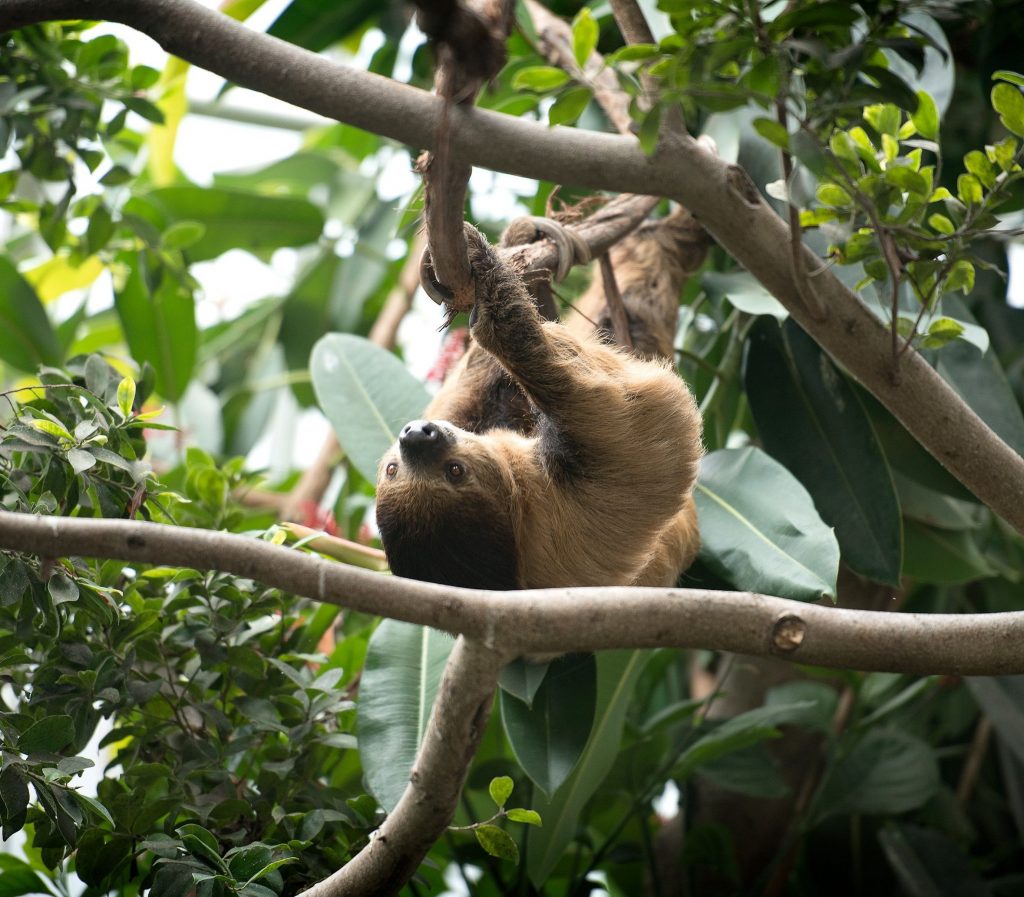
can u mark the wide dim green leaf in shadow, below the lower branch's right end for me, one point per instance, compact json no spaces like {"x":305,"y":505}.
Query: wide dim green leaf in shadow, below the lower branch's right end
{"x":888,"y":772}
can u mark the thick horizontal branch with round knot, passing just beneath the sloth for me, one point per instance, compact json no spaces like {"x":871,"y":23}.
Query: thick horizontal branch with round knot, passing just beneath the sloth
{"x":554,"y":621}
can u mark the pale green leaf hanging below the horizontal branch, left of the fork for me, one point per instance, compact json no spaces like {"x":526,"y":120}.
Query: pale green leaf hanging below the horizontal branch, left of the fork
{"x":400,"y":681}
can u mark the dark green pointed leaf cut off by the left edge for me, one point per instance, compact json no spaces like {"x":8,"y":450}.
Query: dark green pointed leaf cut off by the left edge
{"x":27,"y":337}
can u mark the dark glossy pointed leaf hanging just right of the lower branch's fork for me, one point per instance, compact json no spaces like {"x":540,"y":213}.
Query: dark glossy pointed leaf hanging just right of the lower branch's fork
{"x":549,"y":737}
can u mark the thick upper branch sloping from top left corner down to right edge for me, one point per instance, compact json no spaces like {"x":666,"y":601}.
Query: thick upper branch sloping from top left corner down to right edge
{"x":720,"y":196}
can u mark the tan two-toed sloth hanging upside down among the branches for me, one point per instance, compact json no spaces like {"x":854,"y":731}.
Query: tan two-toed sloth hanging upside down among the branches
{"x":549,"y":459}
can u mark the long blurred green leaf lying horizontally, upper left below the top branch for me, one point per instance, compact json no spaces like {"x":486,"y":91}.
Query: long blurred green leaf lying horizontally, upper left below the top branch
{"x":232,"y":220}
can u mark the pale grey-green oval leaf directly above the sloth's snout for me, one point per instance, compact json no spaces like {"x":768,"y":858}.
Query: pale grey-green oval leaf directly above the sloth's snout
{"x":367,"y":395}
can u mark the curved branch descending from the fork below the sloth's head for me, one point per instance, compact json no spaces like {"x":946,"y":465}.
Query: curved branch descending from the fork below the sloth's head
{"x":457,"y":723}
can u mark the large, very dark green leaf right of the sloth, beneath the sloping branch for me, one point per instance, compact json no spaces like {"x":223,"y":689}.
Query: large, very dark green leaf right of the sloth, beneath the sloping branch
{"x":809,"y":418}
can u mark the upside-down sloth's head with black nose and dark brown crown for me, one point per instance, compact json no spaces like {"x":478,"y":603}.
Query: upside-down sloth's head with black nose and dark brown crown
{"x":445,"y":508}
